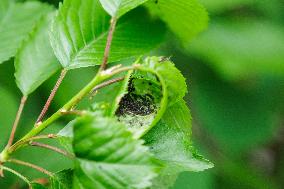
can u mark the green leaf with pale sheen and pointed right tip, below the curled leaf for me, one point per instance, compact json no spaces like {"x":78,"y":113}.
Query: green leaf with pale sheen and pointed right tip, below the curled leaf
{"x":170,"y":142}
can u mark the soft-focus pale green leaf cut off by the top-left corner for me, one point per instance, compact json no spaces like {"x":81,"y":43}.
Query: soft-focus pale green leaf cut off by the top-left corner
{"x":16,"y":21}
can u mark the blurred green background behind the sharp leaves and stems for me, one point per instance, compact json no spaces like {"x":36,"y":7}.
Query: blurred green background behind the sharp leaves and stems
{"x":235,"y":74}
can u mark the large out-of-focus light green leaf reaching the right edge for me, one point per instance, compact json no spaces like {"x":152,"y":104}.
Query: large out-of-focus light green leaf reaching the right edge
{"x":242,"y":49}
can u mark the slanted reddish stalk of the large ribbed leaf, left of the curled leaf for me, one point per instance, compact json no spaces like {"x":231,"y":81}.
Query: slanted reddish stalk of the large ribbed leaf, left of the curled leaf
{"x":51,"y":96}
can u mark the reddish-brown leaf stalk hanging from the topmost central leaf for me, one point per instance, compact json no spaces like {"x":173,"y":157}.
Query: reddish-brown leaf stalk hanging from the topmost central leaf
{"x":108,"y":44}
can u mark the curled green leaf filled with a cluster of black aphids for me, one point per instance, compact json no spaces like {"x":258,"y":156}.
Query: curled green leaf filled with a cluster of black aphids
{"x":156,"y":85}
